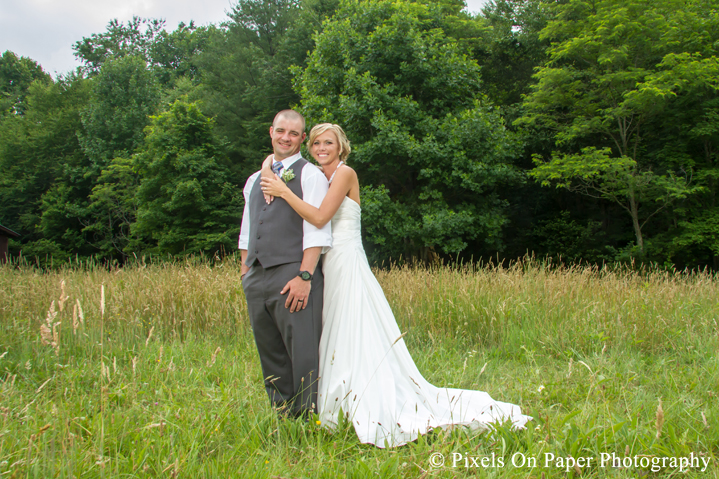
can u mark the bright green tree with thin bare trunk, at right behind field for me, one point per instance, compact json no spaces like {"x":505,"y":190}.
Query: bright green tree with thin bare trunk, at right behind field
{"x":601,"y":52}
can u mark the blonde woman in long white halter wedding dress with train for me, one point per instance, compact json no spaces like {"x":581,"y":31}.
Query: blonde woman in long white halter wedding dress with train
{"x":366,"y":371}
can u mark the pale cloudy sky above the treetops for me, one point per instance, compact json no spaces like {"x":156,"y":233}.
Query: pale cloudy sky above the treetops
{"x":46,"y":30}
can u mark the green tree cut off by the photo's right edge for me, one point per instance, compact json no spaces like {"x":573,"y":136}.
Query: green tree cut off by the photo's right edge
{"x":686,"y":88}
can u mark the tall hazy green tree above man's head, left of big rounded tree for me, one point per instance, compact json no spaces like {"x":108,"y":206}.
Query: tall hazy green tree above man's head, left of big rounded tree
{"x":246,"y":77}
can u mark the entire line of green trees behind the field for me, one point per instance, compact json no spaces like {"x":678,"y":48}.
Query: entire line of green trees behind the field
{"x":586,"y":130}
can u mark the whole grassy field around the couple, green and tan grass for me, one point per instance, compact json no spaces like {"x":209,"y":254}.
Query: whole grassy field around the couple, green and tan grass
{"x":151,"y":371}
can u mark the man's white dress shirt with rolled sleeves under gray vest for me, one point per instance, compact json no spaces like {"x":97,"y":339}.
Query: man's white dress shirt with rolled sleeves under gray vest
{"x":314,"y":186}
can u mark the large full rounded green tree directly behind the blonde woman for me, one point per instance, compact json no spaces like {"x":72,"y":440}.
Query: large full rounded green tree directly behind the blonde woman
{"x":429,"y":148}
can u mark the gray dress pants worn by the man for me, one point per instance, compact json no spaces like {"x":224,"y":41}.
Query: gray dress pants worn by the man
{"x":288,"y":343}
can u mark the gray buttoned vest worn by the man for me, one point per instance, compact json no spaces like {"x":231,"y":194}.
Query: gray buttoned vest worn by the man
{"x":276,"y":231}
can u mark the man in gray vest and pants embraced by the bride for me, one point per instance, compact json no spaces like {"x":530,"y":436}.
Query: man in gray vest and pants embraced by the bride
{"x":280,"y":274}
